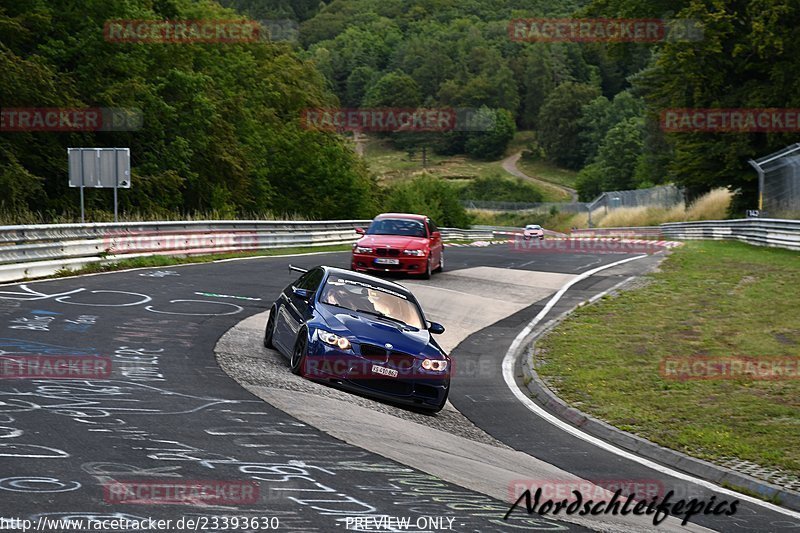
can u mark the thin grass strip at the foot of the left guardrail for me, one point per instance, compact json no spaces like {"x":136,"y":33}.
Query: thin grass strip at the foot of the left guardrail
{"x":164,"y":260}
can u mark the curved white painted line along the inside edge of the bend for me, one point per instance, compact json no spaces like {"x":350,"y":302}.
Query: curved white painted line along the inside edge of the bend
{"x":508,"y":376}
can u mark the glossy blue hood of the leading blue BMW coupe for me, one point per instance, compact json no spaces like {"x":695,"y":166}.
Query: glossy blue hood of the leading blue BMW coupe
{"x":369,"y":330}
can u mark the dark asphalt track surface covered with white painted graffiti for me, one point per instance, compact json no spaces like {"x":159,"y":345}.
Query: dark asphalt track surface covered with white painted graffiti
{"x":167,"y":414}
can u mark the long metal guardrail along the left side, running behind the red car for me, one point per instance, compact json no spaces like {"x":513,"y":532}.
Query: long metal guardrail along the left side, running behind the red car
{"x":42,"y":250}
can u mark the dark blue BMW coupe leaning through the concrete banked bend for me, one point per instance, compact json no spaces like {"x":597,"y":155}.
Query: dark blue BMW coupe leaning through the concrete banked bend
{"x":361,"y":333}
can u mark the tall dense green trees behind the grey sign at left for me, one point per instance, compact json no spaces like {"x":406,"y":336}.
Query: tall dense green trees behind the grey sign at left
{"x":220,"y":128}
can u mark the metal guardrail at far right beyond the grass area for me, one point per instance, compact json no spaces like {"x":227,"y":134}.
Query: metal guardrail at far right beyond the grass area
{"x":779,"y":233}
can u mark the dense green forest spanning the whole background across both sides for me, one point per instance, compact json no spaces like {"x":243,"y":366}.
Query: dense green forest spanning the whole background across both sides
{"x":222,"y":126}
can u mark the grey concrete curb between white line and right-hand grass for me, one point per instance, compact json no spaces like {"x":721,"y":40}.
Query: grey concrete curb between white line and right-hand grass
{"x":720,"y":475}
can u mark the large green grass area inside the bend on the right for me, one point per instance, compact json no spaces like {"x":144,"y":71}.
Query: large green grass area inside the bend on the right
{"x":709,"y":298}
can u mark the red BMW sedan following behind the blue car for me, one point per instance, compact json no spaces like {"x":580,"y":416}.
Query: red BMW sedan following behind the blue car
{"x":399,"y":242}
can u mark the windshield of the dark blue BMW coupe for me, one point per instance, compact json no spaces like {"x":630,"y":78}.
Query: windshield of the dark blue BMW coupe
{"x":359,"y":296}
